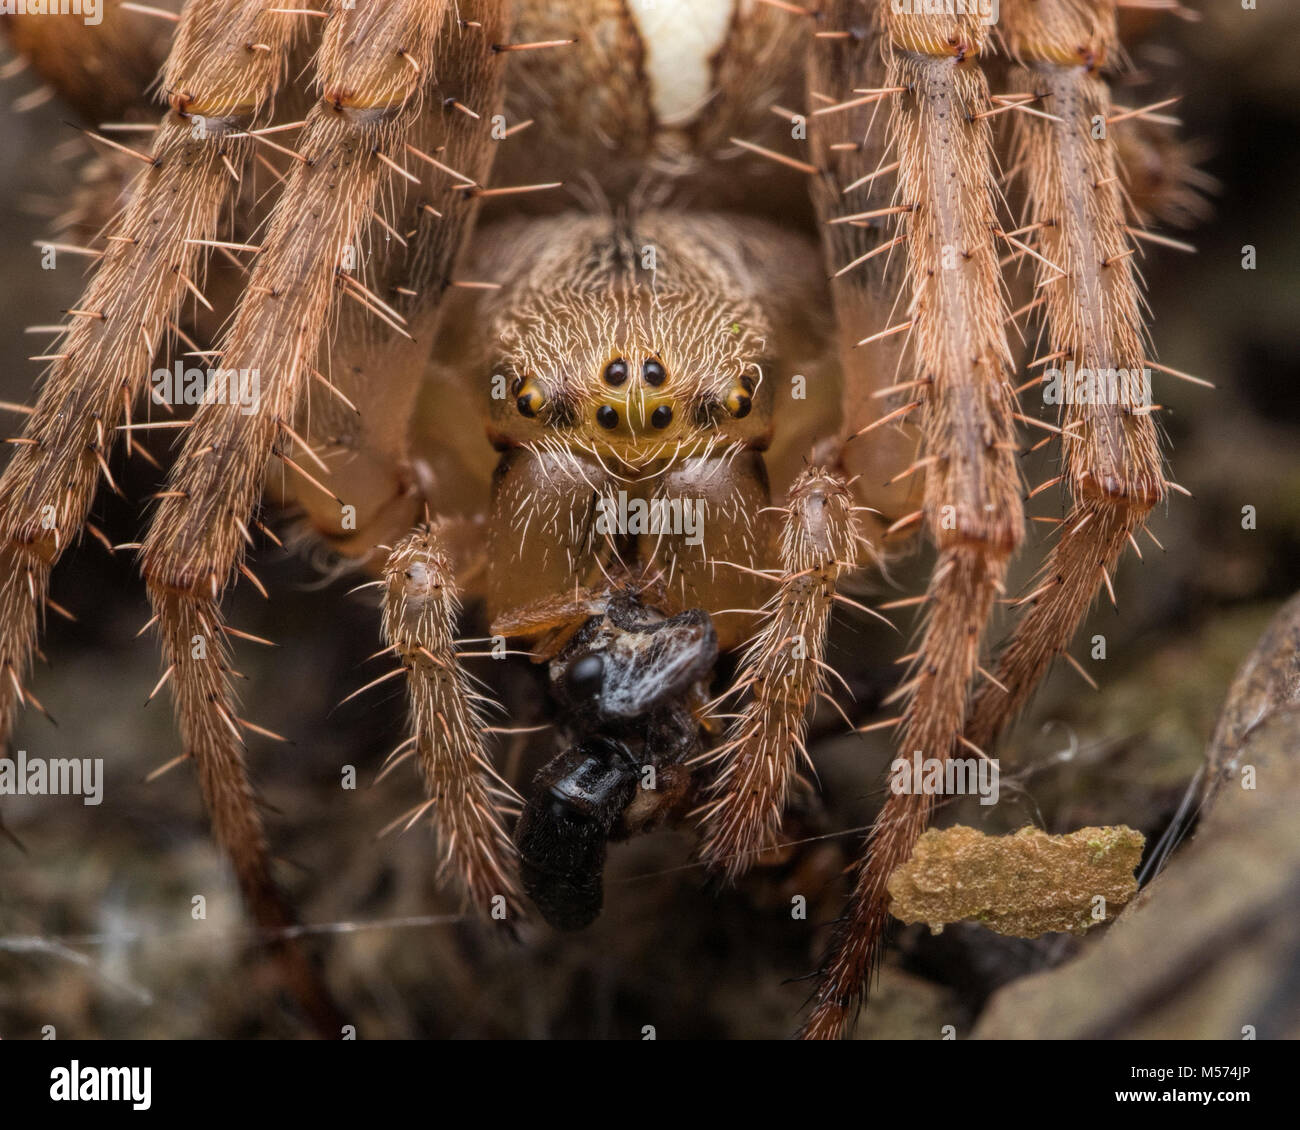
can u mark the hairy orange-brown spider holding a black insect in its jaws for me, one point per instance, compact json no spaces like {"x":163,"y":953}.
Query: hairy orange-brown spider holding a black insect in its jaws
{"x":535,"y":287}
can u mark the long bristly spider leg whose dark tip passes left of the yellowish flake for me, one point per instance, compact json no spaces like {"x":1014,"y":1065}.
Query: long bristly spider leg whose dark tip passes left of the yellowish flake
{"x":972,"y":490}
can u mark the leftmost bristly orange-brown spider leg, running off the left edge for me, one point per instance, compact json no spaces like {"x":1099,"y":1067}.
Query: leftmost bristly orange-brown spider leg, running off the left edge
{"x":103,"y":360}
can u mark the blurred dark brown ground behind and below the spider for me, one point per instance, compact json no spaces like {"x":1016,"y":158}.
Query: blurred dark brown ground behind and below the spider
{"x":96,"y":930}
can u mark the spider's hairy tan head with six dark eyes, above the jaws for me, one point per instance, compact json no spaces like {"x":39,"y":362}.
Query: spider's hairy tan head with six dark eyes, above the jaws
{"x":599,"y":353}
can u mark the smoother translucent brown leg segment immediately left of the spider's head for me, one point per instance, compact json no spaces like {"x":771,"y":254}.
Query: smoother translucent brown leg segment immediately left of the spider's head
{"x":361,"y":408}
